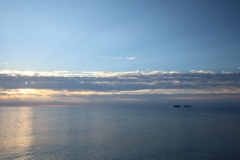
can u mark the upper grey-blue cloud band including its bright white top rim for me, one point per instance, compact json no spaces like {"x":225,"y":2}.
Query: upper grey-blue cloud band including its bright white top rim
{"x":120,"y":81}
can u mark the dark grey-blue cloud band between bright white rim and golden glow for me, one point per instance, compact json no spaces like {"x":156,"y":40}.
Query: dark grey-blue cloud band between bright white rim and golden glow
{"x":127,"y":82}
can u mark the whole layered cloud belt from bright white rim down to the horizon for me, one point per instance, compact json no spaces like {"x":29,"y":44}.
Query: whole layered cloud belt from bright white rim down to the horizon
{"x":114,"y":88}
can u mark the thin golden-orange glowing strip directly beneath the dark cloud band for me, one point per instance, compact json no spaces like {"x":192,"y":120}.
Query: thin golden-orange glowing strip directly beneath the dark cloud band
{"x":24,"y":93}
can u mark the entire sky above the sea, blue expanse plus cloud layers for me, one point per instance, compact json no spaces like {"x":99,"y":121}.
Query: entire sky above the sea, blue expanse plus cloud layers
{"x":119,"y":52}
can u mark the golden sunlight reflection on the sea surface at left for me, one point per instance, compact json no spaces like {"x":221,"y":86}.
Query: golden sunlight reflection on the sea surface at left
{"x":17,"y":132}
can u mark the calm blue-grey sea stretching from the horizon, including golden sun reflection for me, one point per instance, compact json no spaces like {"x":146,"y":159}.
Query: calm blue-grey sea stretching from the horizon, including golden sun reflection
{"x":120,"y":133}
